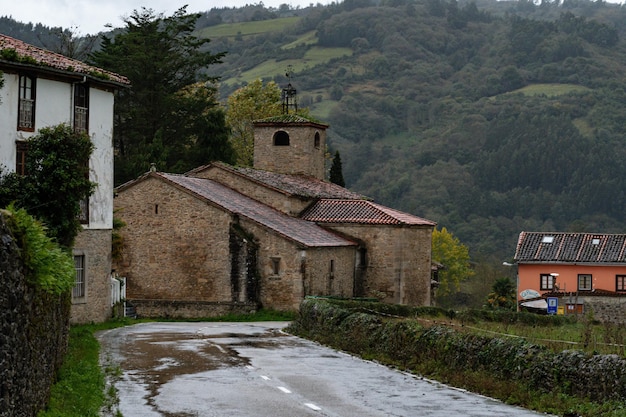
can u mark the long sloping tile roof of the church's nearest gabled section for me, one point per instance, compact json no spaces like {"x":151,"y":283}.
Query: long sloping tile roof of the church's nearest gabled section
{"x":301,"y":231}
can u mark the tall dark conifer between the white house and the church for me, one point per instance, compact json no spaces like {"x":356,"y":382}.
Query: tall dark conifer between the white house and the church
{"x":161,"y":57}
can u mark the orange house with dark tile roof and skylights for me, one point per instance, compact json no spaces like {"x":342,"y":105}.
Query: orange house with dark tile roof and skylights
{"x":572,"y":266}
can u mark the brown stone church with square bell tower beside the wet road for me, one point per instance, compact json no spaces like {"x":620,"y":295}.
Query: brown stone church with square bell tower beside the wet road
{"x":225,"y":239}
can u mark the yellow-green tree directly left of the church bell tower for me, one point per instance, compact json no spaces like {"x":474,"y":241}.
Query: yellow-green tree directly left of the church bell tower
{"x":253,"y":102}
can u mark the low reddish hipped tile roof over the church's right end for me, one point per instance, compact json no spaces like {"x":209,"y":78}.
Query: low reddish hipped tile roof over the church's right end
{"x":359,"y":211}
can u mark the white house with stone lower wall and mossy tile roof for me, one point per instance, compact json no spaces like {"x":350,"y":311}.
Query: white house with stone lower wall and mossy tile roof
{"x":41,"y":89}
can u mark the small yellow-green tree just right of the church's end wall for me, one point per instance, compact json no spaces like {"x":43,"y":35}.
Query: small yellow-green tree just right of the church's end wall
{"x":454,"y":256}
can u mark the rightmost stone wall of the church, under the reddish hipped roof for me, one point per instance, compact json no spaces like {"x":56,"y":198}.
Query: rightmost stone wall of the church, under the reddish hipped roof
{"x":397,"y":264}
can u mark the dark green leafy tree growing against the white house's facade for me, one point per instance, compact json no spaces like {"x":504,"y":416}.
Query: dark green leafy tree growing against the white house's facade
{"x":57,"y":180}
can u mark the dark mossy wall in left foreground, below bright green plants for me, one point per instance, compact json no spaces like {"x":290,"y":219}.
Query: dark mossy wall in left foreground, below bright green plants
{"x":34,"y":327}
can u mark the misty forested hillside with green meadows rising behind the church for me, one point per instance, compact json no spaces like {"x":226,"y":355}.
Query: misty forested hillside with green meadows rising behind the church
{"x":489,"y":118}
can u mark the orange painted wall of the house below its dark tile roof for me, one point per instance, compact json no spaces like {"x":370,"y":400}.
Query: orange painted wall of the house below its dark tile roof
{"x":603,"y":277}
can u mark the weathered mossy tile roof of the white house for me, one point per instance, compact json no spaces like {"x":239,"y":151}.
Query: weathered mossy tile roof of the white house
{"x":51,"y":60}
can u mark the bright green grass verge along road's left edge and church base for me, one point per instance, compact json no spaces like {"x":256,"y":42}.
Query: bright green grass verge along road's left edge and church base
{"x":81,"y":389}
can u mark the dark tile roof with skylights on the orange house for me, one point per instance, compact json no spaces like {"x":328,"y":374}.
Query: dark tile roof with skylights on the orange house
{"x":542,"y":247}
